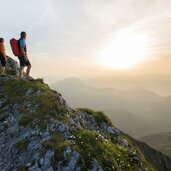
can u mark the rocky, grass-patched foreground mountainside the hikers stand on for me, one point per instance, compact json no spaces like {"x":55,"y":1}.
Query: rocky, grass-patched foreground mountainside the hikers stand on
{"x":40,"y":132}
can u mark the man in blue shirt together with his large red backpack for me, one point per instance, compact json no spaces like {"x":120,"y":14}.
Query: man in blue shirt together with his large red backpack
{"x":20,"y":50}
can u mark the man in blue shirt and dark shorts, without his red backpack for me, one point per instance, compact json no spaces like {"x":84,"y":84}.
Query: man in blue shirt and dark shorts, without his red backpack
{"x":23,"y":58}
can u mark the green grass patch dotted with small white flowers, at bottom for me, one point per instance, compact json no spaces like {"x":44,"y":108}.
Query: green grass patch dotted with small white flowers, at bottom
{"x":109,"y":156}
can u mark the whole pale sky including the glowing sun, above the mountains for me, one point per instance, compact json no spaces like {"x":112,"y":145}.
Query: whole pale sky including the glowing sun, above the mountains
{"x":88,"y":37}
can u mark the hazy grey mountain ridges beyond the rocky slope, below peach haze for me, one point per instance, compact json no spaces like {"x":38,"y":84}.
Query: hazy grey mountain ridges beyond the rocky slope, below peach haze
{"x":142,"y":112}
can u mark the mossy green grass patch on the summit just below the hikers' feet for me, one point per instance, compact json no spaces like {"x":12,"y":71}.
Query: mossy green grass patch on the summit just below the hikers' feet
{"x":43,"y":102}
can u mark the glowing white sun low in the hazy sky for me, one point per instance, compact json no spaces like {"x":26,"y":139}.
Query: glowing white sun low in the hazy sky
{"x":124,"y":50}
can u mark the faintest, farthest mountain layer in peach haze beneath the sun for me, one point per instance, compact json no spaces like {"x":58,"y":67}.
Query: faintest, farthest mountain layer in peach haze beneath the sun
{"x":159,"y":83}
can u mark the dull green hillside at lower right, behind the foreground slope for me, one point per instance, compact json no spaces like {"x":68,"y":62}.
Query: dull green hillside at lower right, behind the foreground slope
{"x":161,"y":142}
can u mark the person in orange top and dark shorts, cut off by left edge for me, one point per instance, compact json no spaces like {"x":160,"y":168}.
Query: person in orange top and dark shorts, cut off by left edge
{"x":2,"y":57}
